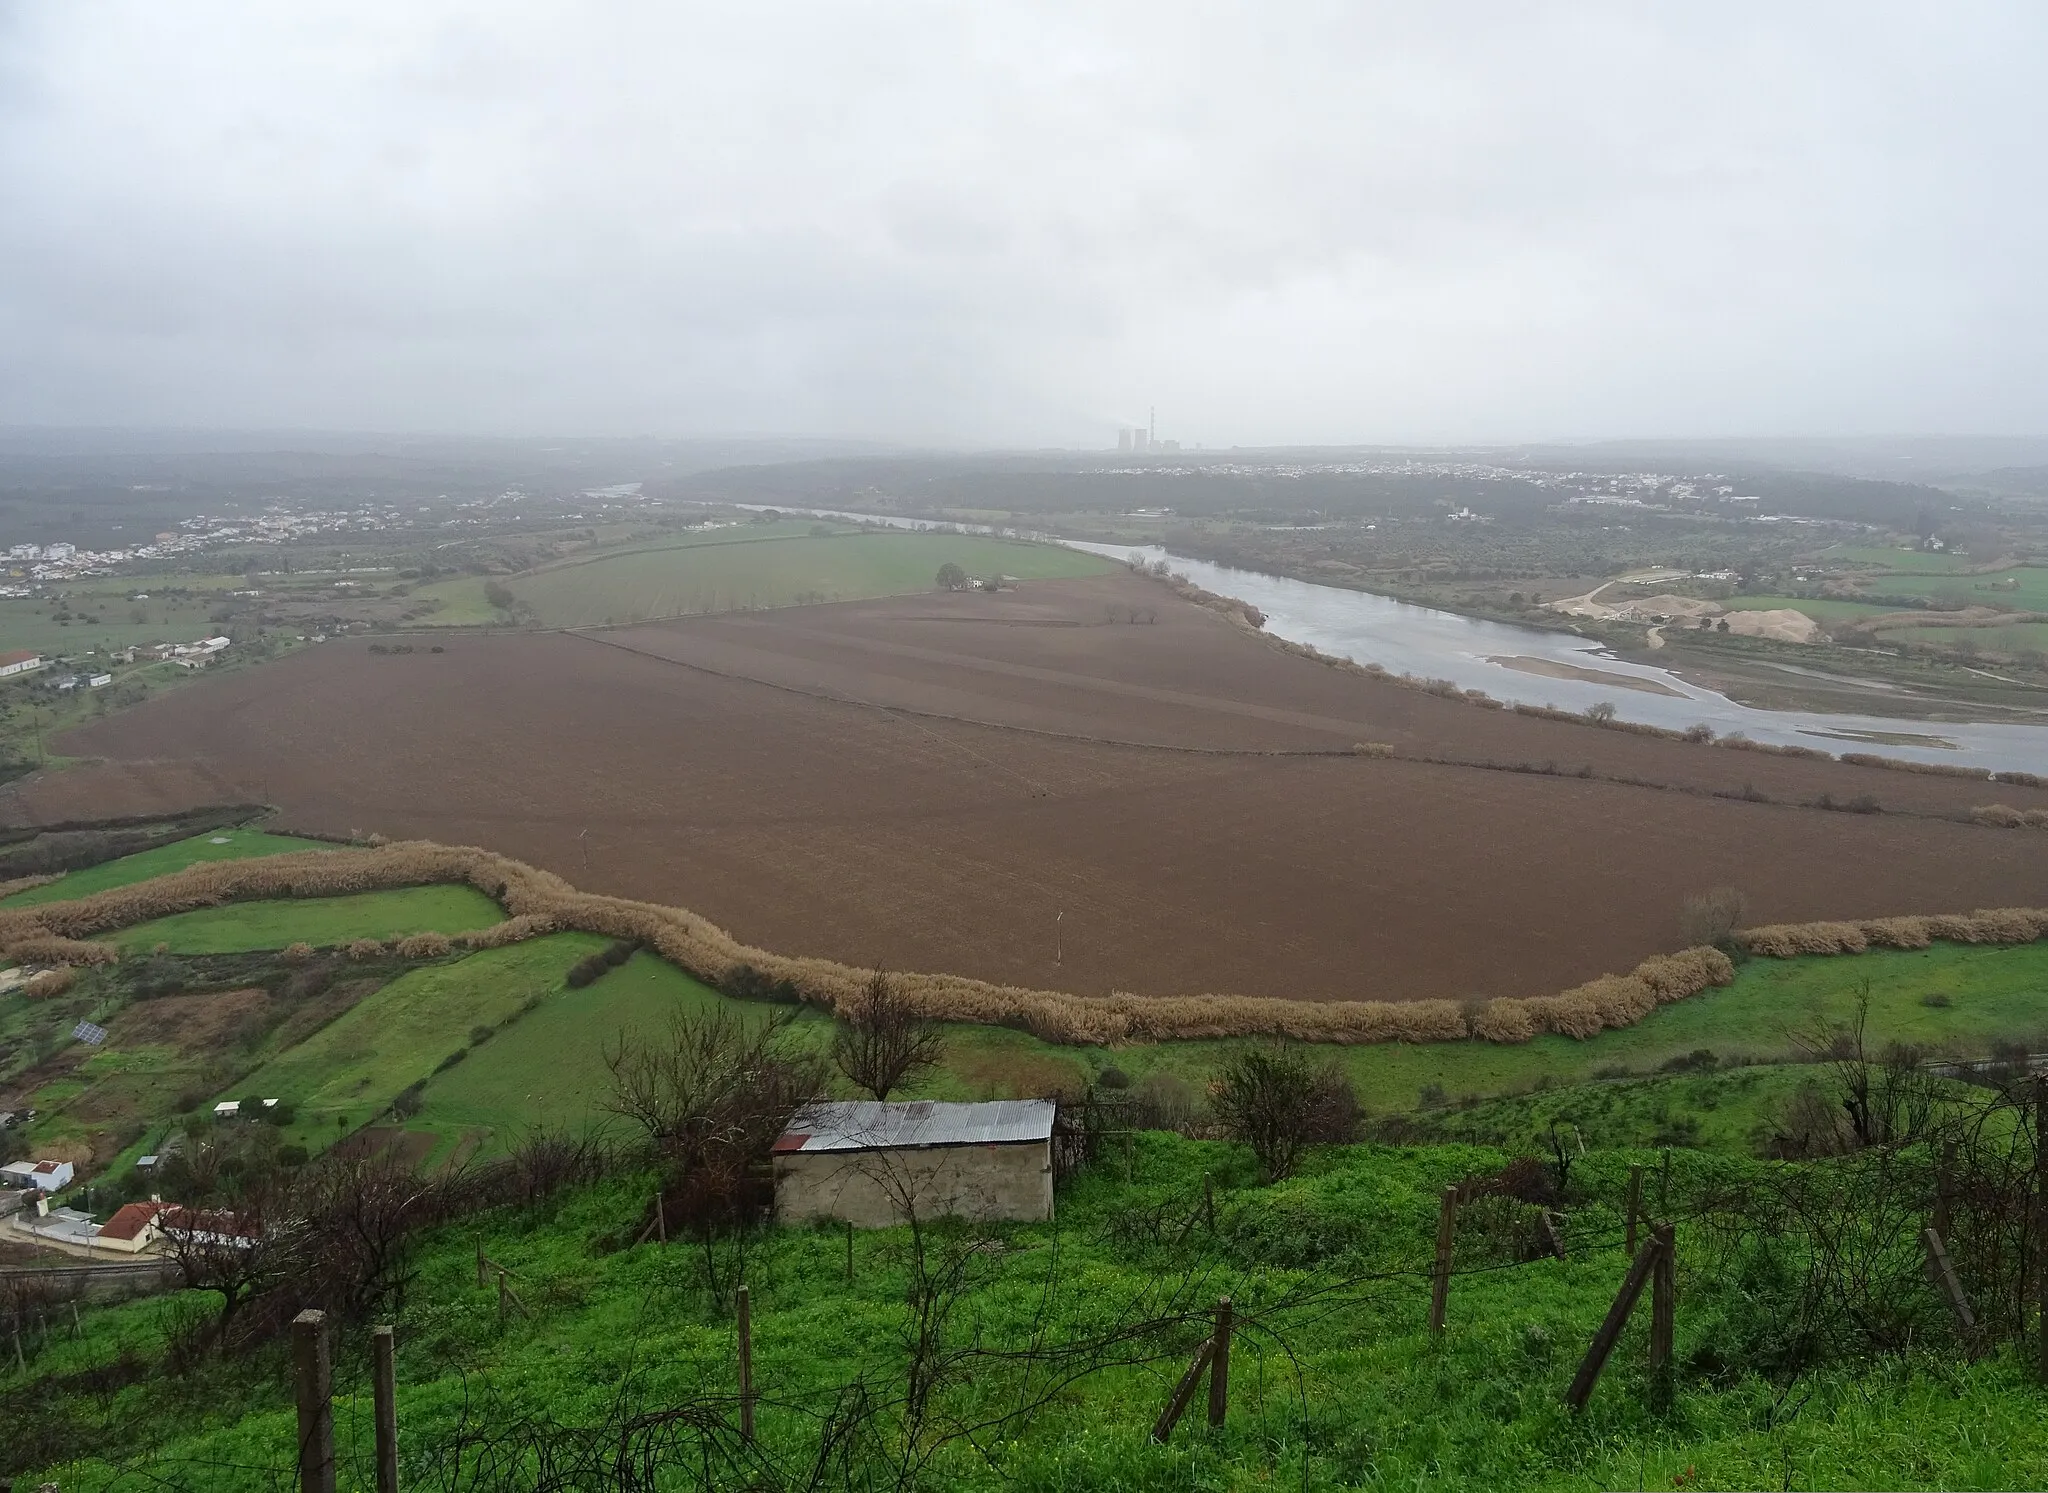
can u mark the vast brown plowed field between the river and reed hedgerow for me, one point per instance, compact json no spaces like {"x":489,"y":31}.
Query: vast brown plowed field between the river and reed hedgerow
{"x":947,"y":783}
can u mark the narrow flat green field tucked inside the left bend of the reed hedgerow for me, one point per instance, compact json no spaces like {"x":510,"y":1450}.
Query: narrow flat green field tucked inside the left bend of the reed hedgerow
{"x":316,"y":921}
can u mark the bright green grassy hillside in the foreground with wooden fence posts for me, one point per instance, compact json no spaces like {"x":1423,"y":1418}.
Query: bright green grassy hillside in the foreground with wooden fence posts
{"x":1336,"y":1381}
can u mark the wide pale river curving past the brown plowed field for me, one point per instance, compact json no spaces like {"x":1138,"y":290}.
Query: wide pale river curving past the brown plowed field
{"x":1447,"y":646}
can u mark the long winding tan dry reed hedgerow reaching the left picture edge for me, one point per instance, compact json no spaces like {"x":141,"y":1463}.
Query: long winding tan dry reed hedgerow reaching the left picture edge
{"x":542,"y":902}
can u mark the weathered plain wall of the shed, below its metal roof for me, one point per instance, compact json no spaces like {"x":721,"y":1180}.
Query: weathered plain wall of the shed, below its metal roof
{"x":867,"y":1189}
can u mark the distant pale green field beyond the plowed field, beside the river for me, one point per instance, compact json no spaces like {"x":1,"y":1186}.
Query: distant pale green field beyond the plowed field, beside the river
{"x":775,"y":572}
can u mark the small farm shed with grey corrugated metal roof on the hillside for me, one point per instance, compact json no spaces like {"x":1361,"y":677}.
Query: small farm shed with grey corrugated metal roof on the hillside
{"x":876,"y":1164}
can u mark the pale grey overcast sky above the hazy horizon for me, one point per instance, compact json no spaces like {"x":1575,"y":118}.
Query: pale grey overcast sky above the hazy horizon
{"x":1025,"y":224}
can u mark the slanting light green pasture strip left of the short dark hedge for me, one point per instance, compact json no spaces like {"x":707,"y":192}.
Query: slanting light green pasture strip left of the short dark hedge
{"x":357,"y":1064}
